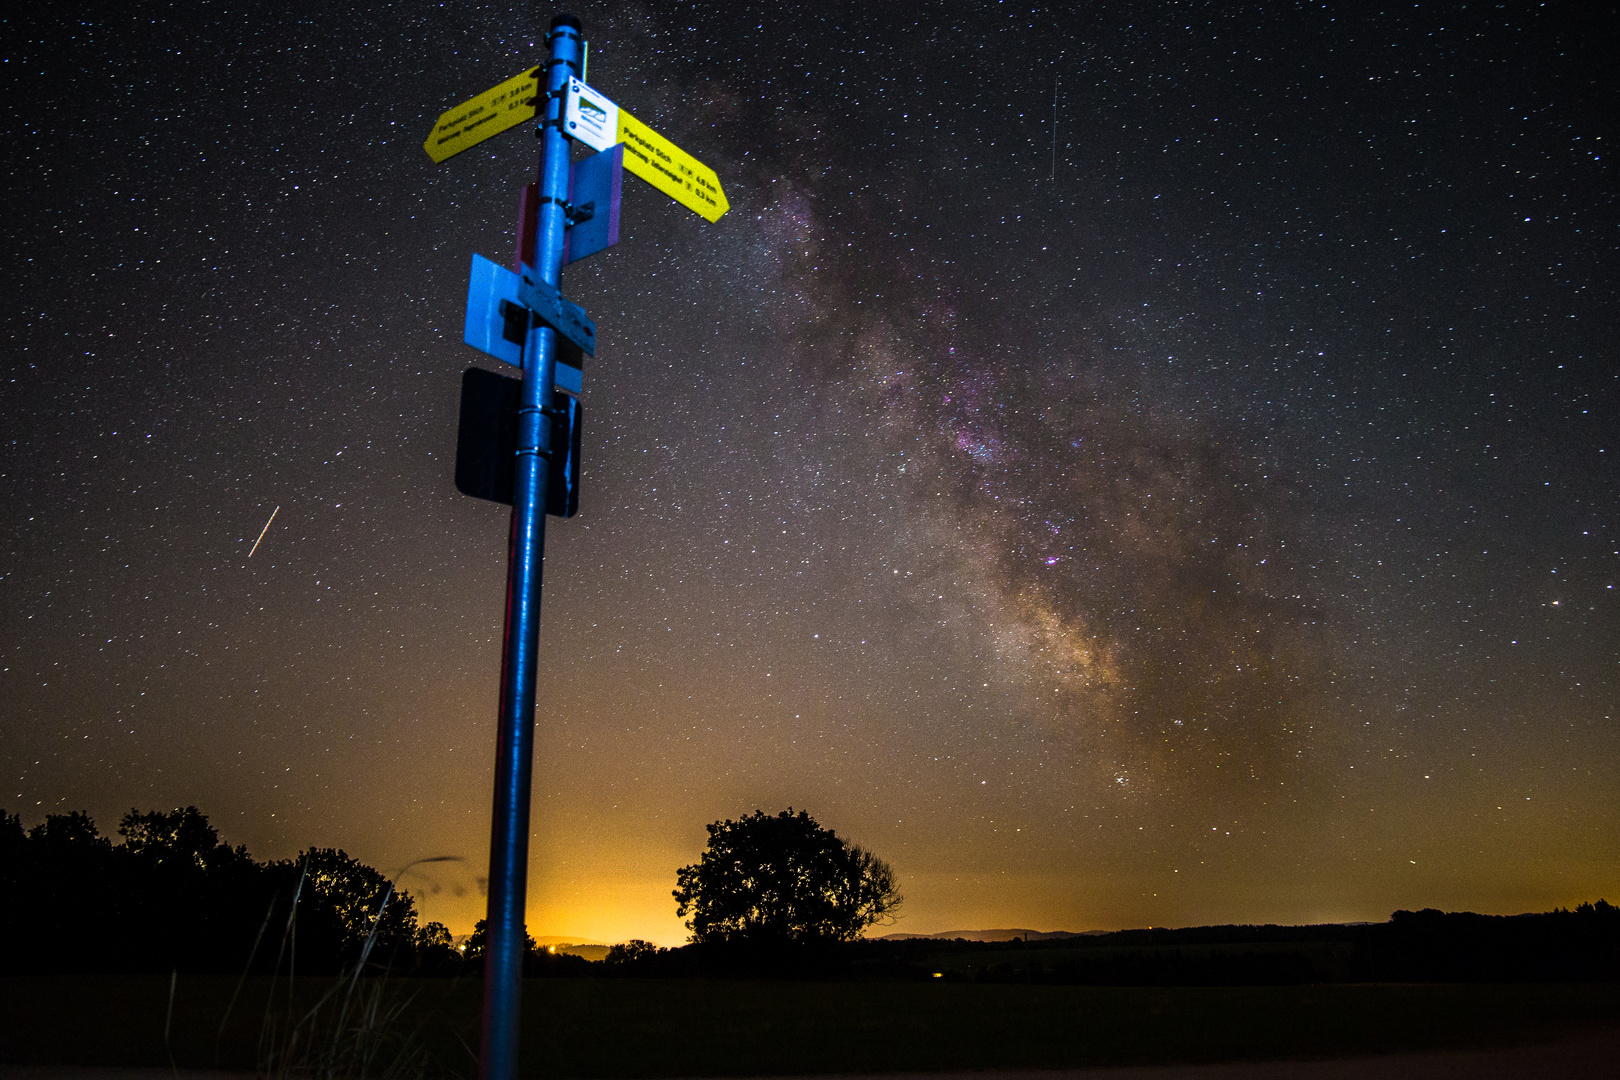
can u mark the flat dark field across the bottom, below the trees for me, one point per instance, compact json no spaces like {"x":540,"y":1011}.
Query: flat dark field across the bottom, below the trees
{"x":697,"y":1027}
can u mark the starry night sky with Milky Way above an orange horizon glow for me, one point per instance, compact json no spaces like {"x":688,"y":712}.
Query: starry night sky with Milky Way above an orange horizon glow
{"x":1123,"y":464}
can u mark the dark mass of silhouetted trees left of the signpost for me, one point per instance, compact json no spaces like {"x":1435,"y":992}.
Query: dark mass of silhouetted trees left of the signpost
{"x":173,"y":896}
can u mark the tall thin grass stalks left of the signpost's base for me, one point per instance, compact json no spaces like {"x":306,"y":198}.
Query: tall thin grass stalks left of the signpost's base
{"x":360,"y":1027}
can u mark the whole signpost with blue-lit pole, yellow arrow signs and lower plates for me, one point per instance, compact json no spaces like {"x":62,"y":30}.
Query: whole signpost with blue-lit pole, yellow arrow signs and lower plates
{"x":519,"y":441}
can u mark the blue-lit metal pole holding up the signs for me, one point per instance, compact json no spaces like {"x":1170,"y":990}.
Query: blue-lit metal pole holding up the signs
{"x":506,"y":930}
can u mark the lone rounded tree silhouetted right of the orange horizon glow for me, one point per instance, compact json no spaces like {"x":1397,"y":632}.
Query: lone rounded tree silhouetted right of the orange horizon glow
{"x":783,"y":880}
